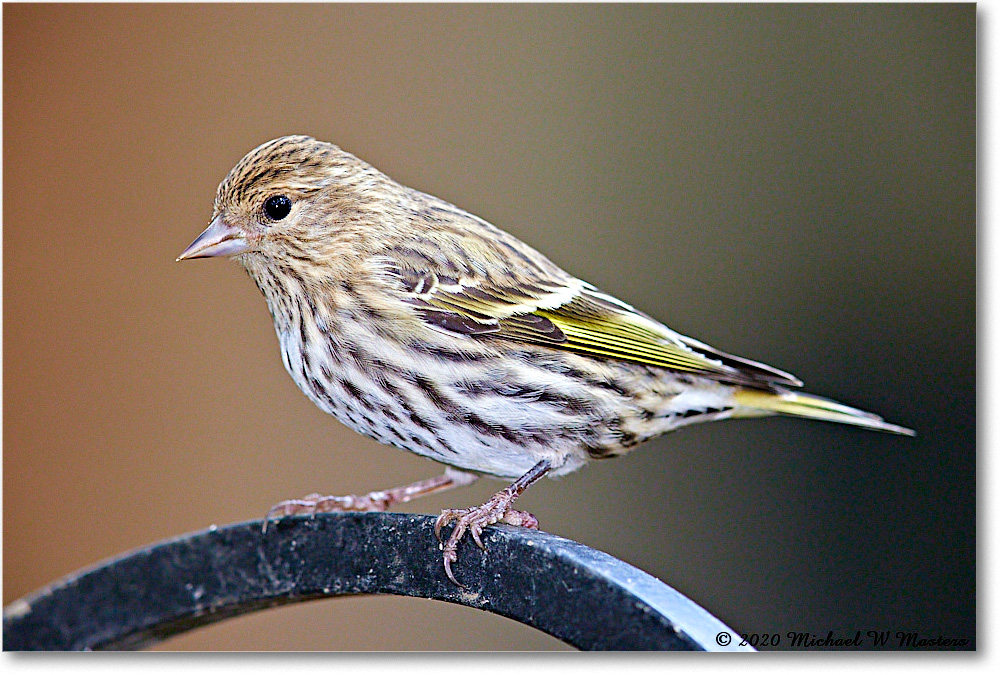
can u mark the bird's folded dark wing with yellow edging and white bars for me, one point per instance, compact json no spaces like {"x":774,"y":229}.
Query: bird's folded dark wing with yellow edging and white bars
{"x":569,"y":314}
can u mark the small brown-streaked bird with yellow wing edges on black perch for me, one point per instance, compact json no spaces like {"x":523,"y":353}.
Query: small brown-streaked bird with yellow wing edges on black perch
{"x":425,"y":327}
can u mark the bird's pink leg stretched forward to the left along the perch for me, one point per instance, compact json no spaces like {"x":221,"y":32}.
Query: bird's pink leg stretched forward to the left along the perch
{"x":379,"y":500}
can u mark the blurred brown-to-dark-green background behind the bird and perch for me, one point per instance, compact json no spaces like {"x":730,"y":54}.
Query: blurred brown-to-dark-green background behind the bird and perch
{"x":794,"y":184}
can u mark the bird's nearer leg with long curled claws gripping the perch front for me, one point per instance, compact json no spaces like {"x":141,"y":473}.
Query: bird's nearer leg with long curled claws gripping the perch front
{"x":495,"y":510}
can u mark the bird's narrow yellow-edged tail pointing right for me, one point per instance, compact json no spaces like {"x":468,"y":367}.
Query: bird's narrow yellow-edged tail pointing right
{"x":755,"y":403}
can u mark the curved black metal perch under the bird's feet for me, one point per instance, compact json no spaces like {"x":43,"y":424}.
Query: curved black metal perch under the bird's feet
{"x":583,"y":597}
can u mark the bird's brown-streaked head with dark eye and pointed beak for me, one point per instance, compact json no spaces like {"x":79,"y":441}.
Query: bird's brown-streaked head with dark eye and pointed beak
{"x":290,"y":198}
